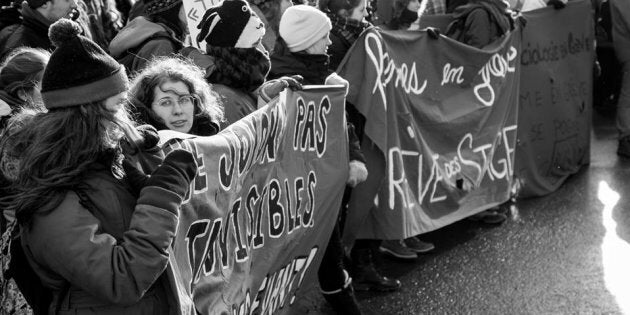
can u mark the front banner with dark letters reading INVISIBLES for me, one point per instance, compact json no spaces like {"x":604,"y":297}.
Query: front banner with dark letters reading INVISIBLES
{"x":257,"y":219}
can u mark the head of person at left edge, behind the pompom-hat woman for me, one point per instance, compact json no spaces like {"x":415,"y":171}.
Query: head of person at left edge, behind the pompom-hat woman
{"x":20,"y":81}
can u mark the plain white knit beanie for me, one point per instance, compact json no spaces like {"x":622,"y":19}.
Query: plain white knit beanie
{"x":301,"y":26}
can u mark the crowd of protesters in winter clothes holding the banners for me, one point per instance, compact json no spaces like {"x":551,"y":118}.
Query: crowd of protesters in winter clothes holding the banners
{"x":84,"y":83}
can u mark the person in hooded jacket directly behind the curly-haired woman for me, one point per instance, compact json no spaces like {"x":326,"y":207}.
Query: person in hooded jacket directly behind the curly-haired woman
{"x":160,"y":32}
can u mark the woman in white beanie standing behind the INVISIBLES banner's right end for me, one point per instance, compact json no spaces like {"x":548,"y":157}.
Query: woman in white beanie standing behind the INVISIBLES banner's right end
{"x":301,"y":49}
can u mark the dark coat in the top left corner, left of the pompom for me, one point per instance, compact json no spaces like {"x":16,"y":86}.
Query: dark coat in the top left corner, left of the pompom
{"x":33,"y":32}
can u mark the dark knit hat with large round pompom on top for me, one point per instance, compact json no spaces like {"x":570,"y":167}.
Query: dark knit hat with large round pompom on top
{"x":79,"y":71}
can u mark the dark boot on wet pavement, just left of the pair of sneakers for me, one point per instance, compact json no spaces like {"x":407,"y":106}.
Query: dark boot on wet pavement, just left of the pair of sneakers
{"x":366,"y":277}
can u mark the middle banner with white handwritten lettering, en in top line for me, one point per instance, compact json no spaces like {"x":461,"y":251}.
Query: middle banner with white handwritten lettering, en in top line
{"x":443,"y":117}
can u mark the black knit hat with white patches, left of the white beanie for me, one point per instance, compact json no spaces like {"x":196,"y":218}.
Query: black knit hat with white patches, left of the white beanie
{"x":231,"y":24}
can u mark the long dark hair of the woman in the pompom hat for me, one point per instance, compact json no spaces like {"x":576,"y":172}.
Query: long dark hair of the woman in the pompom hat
{"x":57,"y":148}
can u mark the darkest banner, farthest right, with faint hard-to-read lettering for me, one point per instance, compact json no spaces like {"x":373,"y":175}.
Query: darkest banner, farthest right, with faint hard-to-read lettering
{"x":555,"y":114}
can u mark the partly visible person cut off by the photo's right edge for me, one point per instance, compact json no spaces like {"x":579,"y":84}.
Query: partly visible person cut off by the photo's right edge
{"x":620,"y":16}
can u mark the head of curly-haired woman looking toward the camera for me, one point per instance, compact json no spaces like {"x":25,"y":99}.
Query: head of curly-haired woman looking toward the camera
{"x":171,"y":93}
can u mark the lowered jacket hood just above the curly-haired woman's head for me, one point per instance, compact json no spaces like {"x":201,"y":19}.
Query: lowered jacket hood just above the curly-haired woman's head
{"x":141,"y":40}
